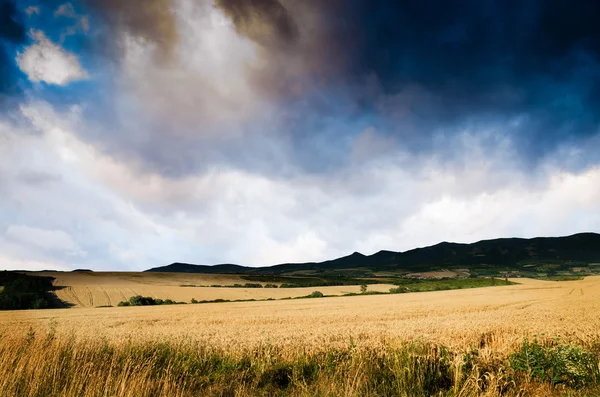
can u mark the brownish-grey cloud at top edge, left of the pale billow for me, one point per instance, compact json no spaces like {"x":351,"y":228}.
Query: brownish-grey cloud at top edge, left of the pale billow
{"x":151,"y":20}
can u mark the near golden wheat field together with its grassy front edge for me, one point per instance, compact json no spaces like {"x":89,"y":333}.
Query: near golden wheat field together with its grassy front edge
{"x":469,"y":338}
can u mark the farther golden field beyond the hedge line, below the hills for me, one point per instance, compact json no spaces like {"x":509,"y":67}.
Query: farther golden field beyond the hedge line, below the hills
{"x":92,"y":289}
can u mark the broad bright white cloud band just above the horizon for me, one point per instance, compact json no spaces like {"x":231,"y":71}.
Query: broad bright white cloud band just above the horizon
{"x":79,"y":199}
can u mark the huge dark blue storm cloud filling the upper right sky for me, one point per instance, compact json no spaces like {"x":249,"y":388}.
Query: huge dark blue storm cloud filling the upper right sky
{"x":429,"y":64}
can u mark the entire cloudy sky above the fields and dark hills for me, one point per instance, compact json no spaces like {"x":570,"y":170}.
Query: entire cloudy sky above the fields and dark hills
{"x":136,"y":134}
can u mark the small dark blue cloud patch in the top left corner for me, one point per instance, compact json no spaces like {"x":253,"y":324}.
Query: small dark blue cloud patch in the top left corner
{"x":12,"y":34}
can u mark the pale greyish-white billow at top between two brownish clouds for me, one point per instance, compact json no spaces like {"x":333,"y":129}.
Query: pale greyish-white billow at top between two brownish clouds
{"x":206,"y":81}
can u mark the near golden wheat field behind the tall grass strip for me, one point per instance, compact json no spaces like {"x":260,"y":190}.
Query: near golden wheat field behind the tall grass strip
{"x":455,"y":318}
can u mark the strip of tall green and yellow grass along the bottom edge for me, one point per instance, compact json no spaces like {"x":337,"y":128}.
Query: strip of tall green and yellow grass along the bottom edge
{"x":52,"y":365}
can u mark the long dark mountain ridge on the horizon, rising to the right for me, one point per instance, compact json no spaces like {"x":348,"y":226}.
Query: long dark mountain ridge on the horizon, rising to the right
{"x":508,"y":253}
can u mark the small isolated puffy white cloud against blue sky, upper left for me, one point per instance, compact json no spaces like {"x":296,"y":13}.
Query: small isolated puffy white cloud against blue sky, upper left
{"x":48,"y":62}
